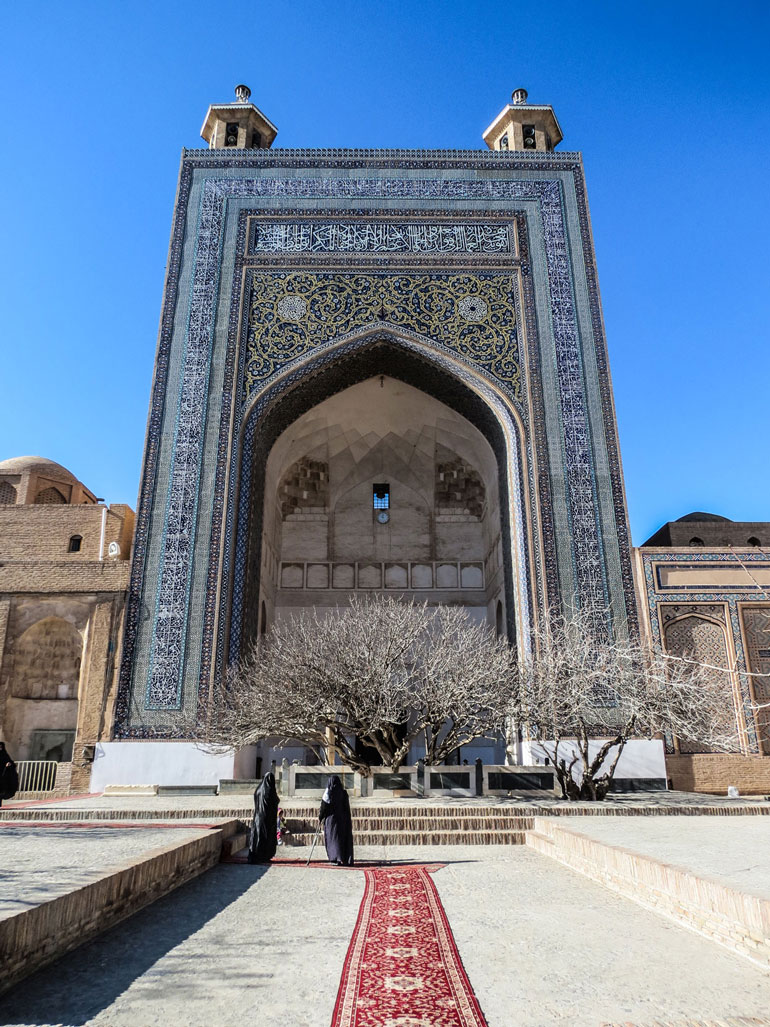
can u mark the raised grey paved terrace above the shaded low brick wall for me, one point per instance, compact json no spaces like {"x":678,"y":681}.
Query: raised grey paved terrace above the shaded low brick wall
{"x":41,"y":864}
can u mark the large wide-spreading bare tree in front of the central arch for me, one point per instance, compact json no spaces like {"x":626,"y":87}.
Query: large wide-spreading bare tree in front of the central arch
{"x":377,"y":674}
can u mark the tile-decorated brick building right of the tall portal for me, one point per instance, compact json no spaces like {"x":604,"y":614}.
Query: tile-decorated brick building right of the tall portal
{"x":705,"y":584}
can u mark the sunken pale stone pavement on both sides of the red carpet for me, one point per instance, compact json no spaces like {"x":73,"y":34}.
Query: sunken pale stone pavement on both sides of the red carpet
{"x":544,"y":947}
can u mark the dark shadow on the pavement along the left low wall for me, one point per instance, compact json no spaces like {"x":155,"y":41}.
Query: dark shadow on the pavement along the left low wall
{"x":76,"y":988}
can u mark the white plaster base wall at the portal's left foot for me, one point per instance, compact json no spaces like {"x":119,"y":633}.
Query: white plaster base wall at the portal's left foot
{"x":158,"y":764}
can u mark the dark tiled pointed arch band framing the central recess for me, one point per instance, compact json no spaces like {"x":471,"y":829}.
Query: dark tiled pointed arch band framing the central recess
{"x":336,"y":366}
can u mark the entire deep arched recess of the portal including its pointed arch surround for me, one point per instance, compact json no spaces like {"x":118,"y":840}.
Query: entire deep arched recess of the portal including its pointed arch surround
{"x":288,"y":434}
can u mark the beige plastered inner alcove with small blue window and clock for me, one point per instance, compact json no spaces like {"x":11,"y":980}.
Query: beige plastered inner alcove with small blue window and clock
{"x":381,"y":486}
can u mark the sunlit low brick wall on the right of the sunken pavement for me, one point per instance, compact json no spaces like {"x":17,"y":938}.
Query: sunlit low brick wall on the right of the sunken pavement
{"x":736,"y":920}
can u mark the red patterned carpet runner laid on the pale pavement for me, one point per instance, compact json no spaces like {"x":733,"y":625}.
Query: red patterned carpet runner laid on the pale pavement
{"x":403,"y":968}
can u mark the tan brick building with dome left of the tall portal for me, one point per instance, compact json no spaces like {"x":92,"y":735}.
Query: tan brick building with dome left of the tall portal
{"x":64,"y":575}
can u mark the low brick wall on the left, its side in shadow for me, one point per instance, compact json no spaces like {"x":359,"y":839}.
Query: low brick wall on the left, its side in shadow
{"x":38,"y":936}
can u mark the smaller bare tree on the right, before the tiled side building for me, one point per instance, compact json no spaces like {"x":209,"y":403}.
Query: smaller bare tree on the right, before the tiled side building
{"x":585,"y":697}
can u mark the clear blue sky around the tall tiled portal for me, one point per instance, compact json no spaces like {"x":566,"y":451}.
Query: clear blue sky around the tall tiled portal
{"x":669,"y":102}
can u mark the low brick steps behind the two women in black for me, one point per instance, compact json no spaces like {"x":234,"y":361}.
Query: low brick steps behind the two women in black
{"x":419,"y":826}
